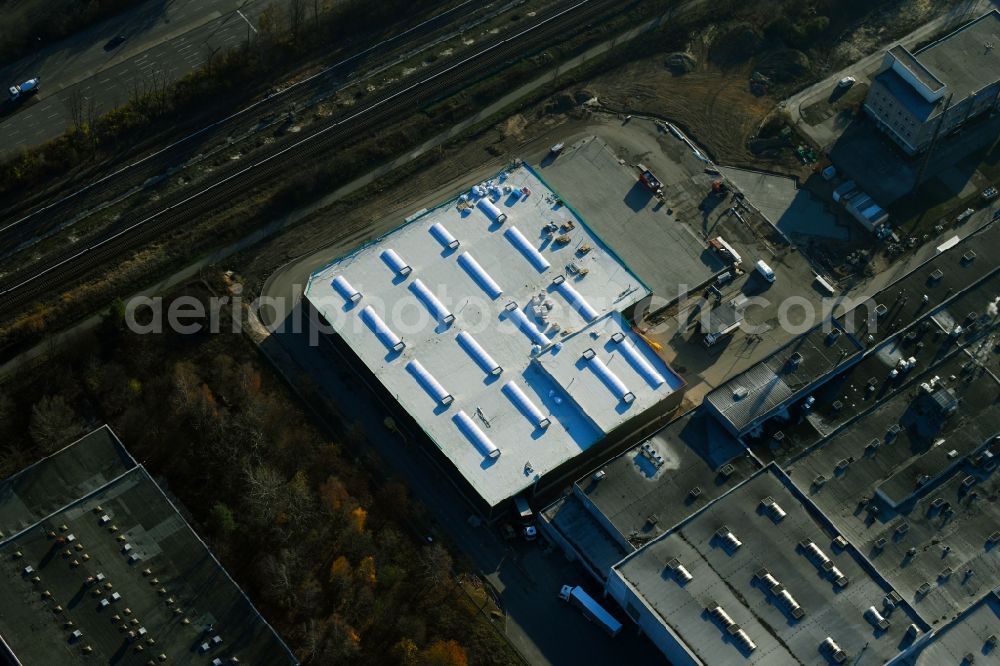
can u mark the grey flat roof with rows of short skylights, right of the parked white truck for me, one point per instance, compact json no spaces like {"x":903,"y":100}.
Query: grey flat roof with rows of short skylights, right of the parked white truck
{"x":733,"y":579}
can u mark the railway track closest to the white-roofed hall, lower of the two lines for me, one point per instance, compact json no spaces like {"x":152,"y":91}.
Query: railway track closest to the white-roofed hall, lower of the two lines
{"x":130,"y":233}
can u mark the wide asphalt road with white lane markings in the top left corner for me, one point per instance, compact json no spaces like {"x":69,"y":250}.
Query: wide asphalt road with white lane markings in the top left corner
{"x":165,"y":39}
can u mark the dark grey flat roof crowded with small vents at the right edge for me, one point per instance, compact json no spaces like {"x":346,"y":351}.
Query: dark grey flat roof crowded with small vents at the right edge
{"x":900,"y":458}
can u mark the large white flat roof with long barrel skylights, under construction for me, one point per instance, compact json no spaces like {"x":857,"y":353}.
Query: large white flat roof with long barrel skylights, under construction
{"x":424,"y":314}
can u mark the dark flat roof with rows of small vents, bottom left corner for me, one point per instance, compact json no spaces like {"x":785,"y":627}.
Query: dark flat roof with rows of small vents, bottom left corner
{"x":174,"y":597}
